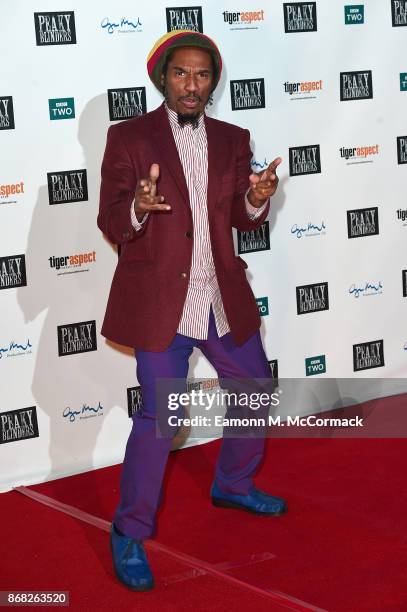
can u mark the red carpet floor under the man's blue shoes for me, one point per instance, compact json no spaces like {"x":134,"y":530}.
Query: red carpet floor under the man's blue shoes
{"x":342,"y":545}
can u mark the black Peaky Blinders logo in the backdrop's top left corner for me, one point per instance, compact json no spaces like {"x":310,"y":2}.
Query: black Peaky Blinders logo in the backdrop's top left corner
{"x":55,"y":28}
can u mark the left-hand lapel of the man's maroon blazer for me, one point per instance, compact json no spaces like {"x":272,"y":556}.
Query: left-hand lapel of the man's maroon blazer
{"x":165,"y":144}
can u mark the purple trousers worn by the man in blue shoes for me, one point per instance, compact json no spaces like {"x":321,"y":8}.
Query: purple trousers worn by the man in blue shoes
{"x":146,"y":453}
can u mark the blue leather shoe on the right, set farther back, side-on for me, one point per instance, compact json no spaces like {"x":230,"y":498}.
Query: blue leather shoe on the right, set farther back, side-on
{"x":256,"y":501}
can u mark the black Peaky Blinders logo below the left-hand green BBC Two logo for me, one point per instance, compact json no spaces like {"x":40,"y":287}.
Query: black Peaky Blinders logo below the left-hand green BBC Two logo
{"x":67,"y":186}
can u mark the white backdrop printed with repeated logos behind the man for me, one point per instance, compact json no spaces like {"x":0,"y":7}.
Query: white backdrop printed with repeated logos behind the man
{"x":323,"y":84}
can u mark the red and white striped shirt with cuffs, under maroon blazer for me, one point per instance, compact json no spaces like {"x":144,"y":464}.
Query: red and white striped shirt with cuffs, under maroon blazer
{"x":203,"y":289}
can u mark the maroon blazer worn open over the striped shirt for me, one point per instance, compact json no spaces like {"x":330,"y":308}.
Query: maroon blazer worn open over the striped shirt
{"x":151,"y":279}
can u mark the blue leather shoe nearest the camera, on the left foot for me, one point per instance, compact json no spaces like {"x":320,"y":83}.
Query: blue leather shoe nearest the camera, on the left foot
{"x":130,"y":562}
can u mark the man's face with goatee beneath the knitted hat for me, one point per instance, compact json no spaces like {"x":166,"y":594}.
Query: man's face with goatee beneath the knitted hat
{"x":188,"y":81}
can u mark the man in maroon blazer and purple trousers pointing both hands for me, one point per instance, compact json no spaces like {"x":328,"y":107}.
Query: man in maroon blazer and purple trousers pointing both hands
{"x":174,"y":182}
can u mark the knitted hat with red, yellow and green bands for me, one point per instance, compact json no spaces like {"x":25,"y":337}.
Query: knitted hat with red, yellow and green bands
{"x":173,"y":40}
